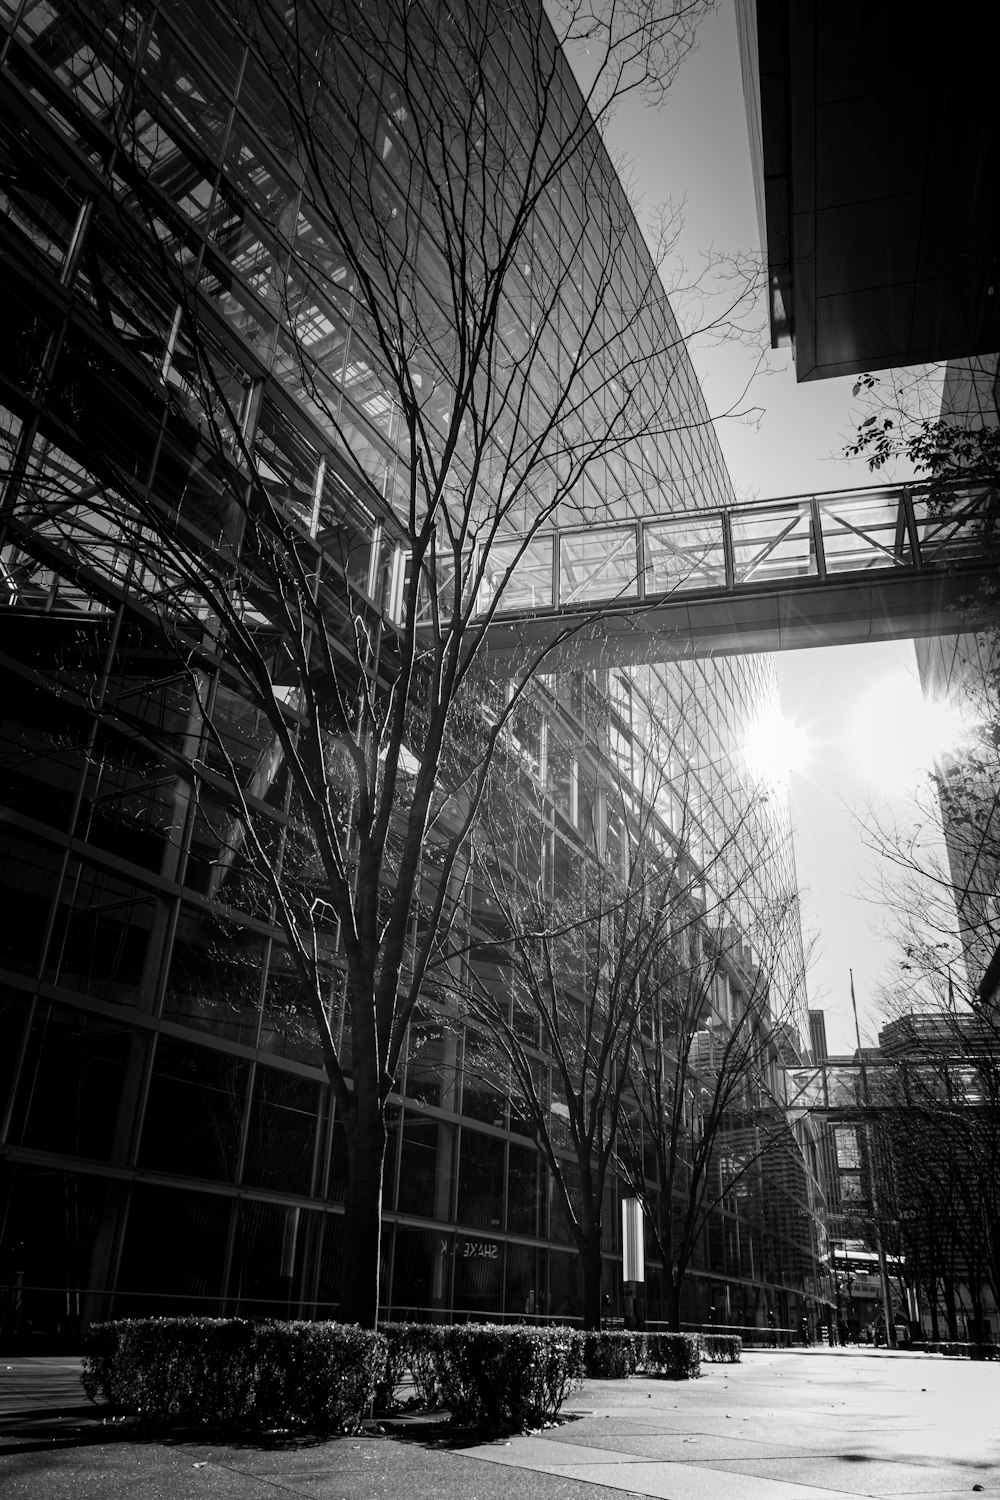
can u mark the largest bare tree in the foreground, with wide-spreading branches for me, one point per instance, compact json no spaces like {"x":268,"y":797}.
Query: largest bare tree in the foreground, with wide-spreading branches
{"x":302,"y":418}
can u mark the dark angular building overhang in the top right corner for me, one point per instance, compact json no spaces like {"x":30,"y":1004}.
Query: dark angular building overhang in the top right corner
{"x":878,"y":178}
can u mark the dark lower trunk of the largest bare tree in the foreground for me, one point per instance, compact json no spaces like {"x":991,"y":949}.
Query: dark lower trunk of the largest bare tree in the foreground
{"x":364,"y":1214}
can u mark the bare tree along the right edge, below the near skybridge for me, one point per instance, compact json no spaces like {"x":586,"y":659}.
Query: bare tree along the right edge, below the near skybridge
{"x":939,"y":1082}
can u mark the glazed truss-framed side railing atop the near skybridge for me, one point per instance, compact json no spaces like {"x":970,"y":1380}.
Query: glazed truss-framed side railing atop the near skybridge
{"x":804,"y":538}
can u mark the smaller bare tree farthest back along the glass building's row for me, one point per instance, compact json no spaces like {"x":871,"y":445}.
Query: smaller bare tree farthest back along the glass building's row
{"x":711,"y":1130}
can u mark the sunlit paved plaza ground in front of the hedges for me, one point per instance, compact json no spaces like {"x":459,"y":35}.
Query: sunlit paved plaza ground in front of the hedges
{"x":782,"y":1426}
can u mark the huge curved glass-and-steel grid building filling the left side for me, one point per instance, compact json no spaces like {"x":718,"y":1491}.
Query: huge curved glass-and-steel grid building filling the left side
{"x":235,"y":254}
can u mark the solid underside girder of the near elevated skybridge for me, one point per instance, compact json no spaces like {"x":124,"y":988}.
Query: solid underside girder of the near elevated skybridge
{"x":885,"y":605}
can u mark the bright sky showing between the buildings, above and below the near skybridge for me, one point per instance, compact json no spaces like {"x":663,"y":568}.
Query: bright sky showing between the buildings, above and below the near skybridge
{"x":698,"y":149}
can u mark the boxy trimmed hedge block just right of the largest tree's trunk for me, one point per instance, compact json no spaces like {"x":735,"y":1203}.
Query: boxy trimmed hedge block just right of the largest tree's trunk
{"x":507,"y":1378}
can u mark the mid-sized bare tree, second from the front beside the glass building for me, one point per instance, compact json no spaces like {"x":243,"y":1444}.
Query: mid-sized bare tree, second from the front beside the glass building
{"x":585,"y":892}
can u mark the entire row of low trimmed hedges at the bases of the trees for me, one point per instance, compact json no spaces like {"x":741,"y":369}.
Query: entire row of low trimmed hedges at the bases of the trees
{"x":328,"y":1378}
